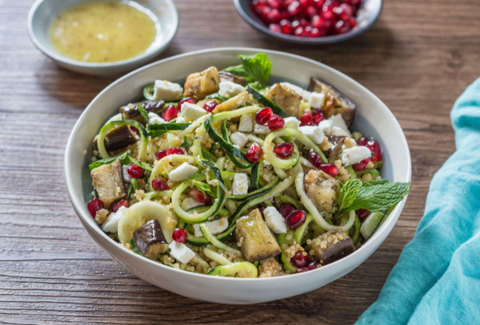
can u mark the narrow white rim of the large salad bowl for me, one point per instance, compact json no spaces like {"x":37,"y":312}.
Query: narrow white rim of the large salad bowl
{"x":77,"y":202}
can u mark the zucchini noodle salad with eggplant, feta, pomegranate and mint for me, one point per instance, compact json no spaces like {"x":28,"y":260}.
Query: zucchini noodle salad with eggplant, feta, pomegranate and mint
{"x":229,"y":175}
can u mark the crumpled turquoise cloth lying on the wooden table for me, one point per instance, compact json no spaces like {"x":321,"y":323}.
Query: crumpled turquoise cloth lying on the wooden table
{"x":437,"y":278}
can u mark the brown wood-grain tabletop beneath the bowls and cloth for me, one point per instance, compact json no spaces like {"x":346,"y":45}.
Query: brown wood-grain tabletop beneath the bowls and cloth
{"x":418,"y":59}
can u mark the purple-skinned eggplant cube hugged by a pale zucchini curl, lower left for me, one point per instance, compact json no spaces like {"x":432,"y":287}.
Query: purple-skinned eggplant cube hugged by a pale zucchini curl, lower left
{"x":149,"y":239}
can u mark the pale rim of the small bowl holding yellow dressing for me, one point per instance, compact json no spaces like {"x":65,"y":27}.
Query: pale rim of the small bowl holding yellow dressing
{"x":65,"y":60}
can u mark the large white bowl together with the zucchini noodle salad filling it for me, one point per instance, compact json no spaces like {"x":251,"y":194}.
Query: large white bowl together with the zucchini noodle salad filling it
{"x":224,"y":173}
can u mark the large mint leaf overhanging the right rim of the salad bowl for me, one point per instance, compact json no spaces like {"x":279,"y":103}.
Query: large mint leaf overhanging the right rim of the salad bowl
{"x":379,"y":195}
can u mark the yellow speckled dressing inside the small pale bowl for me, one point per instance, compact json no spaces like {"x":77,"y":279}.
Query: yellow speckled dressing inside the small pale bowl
{"x":99,"y":32}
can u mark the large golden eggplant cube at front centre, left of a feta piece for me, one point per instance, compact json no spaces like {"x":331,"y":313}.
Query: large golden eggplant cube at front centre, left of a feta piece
{"x":257,"y":241}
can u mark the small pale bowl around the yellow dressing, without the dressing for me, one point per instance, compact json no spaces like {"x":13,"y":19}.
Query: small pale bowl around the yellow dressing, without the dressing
{"x":44,"y":11}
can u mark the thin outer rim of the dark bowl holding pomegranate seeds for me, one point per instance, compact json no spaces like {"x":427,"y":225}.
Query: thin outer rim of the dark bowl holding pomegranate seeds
{"x":306,"y":40}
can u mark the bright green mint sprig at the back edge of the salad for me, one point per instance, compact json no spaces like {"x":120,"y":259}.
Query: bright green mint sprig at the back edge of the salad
{"x":257,"y":67}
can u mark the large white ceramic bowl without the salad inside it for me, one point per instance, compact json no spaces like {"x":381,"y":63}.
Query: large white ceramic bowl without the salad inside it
{"x":373,"y":119}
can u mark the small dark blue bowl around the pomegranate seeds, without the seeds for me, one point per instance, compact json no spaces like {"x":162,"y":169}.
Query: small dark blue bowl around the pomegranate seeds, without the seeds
{"x":367,"y":15}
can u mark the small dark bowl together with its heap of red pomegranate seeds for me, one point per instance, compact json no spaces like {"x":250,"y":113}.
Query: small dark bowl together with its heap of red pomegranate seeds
{"x":310,"y":21}
